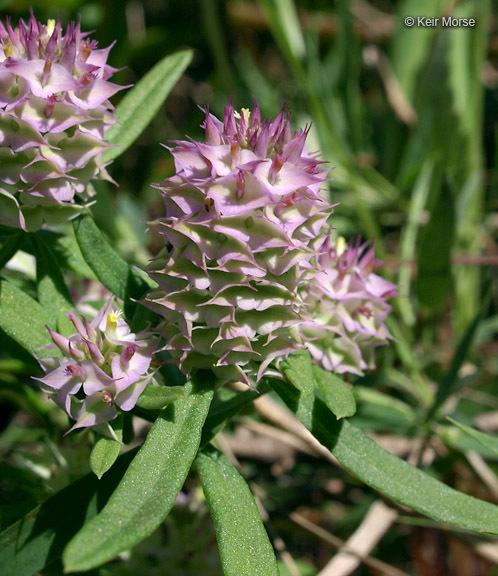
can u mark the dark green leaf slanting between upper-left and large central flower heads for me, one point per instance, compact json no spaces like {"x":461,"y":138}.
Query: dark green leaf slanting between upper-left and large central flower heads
{"x":110,"y":269}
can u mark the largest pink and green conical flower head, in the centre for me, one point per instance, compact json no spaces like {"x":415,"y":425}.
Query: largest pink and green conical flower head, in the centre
{"x":242,"y":230}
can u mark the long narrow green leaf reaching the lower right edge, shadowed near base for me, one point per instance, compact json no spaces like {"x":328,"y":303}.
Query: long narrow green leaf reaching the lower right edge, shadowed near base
{"x":386,"y":473}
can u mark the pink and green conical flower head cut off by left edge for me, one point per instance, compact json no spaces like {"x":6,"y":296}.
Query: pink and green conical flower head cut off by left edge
{"x":54,"y":112}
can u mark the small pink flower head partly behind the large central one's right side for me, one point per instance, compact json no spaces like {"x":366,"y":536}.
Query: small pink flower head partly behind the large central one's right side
{"x":346,"y":308}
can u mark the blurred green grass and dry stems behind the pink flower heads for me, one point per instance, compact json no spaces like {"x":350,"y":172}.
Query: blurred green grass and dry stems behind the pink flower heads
{"x":408,"y":118}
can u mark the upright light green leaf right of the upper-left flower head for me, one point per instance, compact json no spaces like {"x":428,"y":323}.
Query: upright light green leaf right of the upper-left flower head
{"x":141,"y":104}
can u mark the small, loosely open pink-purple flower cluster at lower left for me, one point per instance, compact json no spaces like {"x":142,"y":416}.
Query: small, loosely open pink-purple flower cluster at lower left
{"x":104,"y":367}
